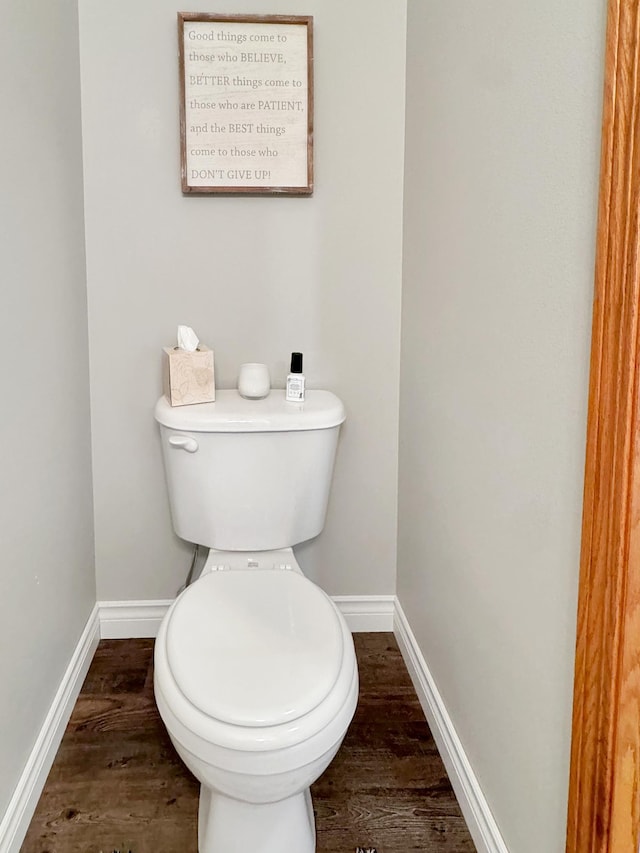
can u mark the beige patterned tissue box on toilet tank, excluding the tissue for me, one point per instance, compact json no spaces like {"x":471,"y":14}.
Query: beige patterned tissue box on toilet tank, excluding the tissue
{"x":188,"y":376}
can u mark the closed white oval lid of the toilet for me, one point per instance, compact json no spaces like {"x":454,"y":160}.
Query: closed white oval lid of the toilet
{"x":254,"y":648}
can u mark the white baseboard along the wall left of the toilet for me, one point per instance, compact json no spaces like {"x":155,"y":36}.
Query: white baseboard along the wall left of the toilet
{"x":22,"y":805}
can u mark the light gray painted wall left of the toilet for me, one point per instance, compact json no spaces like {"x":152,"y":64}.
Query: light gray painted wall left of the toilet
{"x":47,"y":585}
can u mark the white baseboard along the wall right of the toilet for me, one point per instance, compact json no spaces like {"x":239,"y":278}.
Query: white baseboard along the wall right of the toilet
{"x":476,"y":811}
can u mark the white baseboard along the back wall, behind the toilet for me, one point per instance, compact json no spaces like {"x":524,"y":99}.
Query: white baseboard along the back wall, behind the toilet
{"x":121,"y":620}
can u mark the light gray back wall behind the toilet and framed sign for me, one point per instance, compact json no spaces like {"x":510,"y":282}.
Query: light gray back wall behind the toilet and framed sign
{"x":256,"y":277}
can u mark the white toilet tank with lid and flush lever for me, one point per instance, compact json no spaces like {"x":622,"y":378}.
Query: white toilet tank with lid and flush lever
{"x":250,"y":475}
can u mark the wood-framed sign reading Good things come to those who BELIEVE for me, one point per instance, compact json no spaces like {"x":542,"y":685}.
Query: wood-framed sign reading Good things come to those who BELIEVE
{"x":246,"y":103}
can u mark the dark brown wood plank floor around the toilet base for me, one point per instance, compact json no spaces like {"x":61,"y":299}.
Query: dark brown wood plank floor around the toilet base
{"x":117,"y":784}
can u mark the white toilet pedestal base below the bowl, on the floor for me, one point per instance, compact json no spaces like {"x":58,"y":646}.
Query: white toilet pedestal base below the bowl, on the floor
{"x":226,"y":825}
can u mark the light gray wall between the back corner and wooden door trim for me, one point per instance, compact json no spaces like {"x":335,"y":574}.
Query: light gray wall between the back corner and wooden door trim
{"x":502,"y":151}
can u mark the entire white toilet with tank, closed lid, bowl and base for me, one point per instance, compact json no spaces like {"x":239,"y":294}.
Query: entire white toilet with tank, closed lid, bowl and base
{"x":255,"y":676}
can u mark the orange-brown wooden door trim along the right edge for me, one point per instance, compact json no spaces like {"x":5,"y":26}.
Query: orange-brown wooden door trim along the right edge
{"x":604,"y":785}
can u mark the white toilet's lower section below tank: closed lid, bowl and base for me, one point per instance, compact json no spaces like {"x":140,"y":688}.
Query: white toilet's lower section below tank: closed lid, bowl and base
{"x":256,"y":681}
